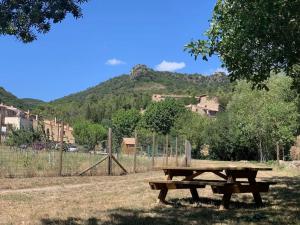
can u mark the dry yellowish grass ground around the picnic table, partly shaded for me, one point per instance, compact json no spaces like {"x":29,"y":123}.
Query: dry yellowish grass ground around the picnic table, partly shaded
{"x":128,"y":200}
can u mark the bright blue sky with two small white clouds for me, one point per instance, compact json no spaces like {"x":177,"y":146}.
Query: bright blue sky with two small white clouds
{"x":112,"y":37}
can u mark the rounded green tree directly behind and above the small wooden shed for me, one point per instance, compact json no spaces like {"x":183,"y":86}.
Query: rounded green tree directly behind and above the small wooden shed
{"x":125,"y":122}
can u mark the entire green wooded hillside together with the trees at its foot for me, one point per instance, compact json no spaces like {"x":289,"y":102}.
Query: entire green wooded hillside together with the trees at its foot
{"x":252,"y":125}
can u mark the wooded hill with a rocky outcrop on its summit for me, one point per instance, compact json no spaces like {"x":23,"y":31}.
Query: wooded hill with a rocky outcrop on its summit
{"x":132,"y":90}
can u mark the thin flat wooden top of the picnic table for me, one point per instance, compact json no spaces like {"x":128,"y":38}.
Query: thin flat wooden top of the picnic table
{"x":215,"y":168}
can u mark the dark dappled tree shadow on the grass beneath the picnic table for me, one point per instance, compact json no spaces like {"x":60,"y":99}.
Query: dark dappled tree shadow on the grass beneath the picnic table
{"x":282,"y":206}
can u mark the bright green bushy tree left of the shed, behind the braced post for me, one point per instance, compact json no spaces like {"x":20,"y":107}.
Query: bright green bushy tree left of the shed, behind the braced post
{"x":88,"y":133}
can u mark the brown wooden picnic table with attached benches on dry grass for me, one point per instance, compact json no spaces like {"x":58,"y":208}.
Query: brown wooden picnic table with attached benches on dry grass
{"x":229,"y":183}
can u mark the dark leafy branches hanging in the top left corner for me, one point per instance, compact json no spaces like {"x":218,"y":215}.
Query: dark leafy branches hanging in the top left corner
{"x":24,"y":18}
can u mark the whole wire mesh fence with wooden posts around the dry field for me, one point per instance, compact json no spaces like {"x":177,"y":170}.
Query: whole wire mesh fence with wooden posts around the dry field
{"x":147,"y":152}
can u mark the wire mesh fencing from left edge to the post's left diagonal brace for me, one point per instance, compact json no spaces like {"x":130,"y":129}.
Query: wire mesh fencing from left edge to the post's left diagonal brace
{"x":30,"y":163}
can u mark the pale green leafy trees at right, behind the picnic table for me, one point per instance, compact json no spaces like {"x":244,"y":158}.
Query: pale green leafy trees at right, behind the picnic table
{"x":255,"y":121}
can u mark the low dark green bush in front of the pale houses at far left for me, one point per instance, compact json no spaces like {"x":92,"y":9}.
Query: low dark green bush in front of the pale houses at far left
{"x":23,"y":137}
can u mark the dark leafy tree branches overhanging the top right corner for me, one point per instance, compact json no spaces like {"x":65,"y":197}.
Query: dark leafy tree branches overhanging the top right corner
{"x":253,"y":39}
